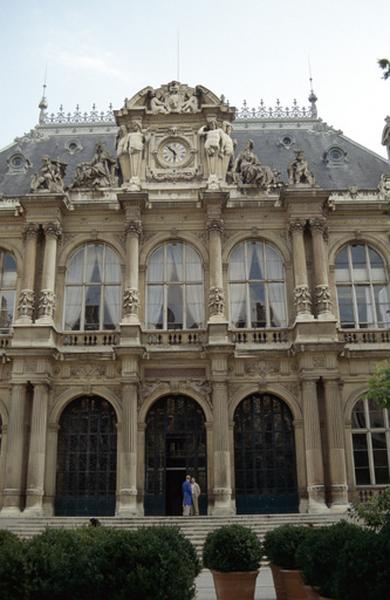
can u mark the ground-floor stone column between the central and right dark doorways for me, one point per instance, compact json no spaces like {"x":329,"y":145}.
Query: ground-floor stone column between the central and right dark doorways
{"x":222,"y":470}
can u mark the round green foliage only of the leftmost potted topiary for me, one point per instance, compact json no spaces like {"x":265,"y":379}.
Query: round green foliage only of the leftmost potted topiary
{"x":232,"y":548}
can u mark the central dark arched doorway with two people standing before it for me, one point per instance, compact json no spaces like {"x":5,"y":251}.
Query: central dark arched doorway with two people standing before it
{"x":175,"y":444}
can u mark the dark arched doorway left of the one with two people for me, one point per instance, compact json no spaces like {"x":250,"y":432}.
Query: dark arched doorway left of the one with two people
{"x":86,"y":458}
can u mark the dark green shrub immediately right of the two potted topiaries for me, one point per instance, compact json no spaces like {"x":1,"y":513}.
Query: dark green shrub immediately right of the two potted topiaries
{"x":319,"y":553}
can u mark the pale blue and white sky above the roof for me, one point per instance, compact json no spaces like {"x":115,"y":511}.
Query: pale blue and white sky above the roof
{"x":101,"y":52}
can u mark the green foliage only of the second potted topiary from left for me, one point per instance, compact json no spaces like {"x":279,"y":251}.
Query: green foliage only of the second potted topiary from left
{"x":281,"y":544}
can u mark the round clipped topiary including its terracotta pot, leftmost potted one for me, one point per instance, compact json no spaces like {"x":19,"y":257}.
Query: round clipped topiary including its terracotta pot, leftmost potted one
{"x":233,"y":554}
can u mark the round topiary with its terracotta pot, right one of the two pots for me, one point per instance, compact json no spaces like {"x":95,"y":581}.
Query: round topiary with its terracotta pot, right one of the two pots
{"x":280,"y":546}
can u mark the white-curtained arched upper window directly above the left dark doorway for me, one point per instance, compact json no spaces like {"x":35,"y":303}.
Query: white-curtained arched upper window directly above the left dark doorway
{"x":92,"y":289}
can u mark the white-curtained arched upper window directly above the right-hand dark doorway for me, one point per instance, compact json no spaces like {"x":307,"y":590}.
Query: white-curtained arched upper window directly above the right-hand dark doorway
{"x":257,"y":286}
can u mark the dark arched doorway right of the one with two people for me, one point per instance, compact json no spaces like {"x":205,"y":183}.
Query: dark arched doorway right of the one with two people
{"x":264,"y":455}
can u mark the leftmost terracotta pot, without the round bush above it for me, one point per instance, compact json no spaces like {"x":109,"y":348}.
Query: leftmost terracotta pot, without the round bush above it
{"x":234,"y":585}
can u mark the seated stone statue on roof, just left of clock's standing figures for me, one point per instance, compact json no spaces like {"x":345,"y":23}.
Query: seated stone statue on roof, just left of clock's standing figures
{"x":97,"y":173}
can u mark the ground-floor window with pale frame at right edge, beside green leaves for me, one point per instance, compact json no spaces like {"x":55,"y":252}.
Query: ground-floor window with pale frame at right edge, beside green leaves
{"x":371,"y":443}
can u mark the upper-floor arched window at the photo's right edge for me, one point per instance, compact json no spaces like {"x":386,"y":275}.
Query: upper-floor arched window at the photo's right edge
{"x":362,"y":287}
